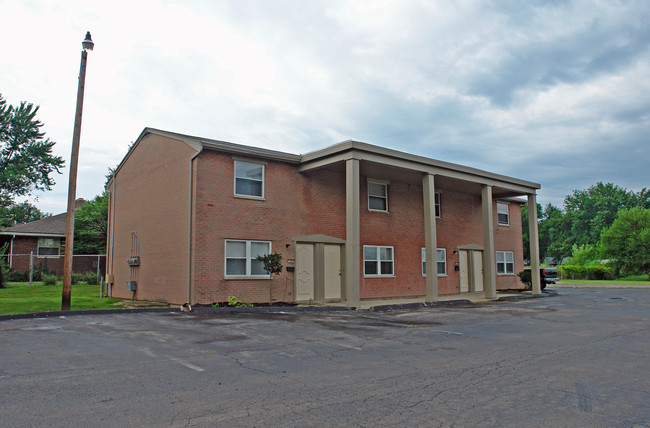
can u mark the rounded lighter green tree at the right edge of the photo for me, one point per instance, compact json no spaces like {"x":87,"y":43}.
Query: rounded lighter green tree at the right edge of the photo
{"x":627,"y":241}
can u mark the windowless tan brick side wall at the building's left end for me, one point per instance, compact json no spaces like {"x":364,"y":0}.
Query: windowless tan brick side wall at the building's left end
{"x":152,"y":198}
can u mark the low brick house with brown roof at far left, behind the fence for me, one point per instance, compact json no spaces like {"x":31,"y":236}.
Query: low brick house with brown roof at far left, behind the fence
{"x":41,"y":242}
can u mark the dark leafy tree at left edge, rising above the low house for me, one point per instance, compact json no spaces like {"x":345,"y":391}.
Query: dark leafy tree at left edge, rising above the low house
{"x":26,"y":159}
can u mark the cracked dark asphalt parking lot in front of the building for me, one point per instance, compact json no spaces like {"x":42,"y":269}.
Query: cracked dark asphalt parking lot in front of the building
{"x":578,"y":359}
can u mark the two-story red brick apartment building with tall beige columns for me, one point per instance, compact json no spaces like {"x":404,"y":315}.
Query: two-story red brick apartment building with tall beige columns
{"x":188,"y":215}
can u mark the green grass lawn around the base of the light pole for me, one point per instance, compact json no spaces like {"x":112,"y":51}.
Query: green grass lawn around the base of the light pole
{"x":20,"y":298}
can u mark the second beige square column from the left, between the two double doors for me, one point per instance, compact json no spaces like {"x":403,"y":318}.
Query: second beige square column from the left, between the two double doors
{"x":430,"y":238}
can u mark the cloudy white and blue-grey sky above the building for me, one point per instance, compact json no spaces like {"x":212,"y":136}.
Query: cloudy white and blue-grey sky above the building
{"x":555,"y":92}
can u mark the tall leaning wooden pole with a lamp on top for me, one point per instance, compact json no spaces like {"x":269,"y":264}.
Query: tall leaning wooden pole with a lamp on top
{"x":87,"y":45}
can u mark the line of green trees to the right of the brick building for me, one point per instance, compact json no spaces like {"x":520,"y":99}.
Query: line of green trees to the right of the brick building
{"x":605,"y":224}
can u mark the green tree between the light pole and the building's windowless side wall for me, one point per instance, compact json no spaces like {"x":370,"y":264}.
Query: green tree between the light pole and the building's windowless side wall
{"x":90,"y":226}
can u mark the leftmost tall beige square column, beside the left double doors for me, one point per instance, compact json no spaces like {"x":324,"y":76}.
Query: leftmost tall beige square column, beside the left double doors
{"x":352,"y":233}
